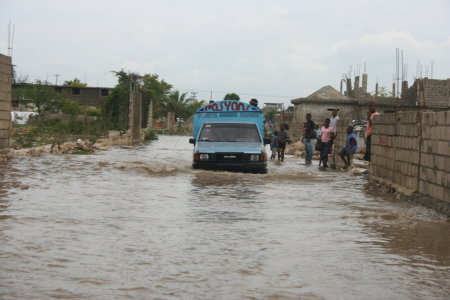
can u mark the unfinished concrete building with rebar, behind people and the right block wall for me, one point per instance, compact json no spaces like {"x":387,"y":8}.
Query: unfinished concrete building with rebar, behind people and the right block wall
{"x":424,"y":94}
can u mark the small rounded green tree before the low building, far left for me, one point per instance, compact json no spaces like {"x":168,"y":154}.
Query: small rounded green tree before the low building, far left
{"x":41,"y":98}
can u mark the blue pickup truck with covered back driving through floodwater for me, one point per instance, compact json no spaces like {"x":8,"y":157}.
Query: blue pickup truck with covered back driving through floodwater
{"x":229,"y":134}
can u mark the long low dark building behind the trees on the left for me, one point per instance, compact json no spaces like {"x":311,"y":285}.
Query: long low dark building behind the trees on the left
{"x":87,"y":96}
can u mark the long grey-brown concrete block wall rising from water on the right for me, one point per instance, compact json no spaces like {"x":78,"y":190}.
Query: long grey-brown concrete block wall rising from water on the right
{"x":411,"y":150}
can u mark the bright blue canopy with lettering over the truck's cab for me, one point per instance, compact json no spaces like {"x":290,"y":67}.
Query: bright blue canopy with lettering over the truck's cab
{"x":228,"y":111}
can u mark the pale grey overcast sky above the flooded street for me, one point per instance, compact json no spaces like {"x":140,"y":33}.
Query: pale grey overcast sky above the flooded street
{"x":272,"y":50}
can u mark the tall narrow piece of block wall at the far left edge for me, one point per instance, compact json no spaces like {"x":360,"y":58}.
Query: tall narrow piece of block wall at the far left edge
{"x":5,"y":100}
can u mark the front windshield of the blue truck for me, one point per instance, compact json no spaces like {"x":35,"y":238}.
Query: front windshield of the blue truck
{"x":229,"y":132}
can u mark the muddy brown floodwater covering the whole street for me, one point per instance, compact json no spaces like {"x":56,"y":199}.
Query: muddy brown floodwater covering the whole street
{"x":139,"y":223}
